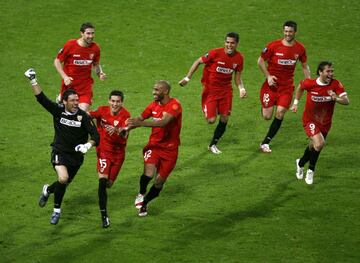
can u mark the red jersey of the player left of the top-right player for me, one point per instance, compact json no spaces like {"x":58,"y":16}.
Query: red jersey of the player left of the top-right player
{"x":219,"y":67}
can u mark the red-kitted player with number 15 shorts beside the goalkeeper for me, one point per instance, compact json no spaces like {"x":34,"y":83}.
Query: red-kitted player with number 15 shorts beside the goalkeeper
{"x":111,"y":151}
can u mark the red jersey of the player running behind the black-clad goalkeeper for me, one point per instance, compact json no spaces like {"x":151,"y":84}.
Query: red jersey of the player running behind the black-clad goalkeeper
{"x":78,"y":60}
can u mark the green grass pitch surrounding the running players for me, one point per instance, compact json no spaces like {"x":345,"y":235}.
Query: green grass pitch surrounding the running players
{"x":242,"y":206}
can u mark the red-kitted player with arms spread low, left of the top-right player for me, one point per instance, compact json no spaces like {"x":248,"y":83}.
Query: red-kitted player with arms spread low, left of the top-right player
{"x":220,"y":64}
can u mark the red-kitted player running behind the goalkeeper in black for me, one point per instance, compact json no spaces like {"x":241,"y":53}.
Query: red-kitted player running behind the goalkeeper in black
{"x":74,"y":63}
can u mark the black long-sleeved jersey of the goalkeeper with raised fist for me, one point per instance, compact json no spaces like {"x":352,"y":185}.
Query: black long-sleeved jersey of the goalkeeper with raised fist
{"x":71,"y":129}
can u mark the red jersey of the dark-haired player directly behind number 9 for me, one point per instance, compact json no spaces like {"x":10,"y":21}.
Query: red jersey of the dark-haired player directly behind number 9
{"x":282,"y":60}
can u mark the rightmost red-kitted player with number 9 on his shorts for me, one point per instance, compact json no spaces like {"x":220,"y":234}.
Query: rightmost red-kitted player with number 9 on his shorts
{"x":322,"y":94}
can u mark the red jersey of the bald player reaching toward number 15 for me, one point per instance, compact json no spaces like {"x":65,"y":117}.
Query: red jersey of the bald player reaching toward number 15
{"x":168,"y":136}
